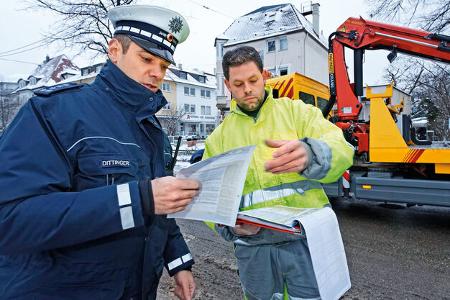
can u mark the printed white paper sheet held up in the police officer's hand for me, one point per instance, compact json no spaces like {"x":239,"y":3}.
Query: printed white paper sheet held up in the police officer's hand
{"x":222,"y":180}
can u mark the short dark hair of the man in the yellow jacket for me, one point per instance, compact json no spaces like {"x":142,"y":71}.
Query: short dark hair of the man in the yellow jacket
{"x":239,"y":56}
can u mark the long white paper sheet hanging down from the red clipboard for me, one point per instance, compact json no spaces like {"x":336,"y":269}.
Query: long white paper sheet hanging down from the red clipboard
{"x":327,"y":252}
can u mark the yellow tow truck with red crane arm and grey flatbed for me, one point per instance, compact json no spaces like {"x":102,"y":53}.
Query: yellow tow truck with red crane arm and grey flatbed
{"x":391,"y":163}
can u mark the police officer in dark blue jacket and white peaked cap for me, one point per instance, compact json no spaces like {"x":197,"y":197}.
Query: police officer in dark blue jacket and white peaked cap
{"x":83,"y":195}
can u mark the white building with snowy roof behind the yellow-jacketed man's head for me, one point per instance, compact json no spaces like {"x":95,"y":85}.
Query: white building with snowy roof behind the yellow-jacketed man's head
{"x":286,"y":40}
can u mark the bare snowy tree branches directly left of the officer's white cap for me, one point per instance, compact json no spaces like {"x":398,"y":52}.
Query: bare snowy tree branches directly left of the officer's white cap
{"x":83,"y":24}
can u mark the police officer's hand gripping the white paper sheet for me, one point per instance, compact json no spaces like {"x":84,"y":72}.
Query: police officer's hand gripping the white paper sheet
{"x":172,"y":194}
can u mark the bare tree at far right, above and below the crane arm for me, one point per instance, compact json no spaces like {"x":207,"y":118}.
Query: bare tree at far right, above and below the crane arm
{"x":428,"y":82}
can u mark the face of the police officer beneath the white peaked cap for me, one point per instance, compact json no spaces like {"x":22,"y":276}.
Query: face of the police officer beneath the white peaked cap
{"x":138,"y":64}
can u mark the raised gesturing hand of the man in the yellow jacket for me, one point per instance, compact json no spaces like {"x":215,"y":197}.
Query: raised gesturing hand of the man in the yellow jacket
{"x":291,"y":156}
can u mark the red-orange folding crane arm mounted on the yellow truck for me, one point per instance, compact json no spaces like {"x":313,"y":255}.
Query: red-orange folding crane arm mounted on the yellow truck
{"x":360,"y":35}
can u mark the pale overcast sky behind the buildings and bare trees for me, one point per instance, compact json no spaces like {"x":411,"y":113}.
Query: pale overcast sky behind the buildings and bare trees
{"x":20,"y":27}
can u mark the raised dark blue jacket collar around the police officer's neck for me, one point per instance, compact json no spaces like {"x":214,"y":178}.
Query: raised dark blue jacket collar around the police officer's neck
{"x":129,"y":92}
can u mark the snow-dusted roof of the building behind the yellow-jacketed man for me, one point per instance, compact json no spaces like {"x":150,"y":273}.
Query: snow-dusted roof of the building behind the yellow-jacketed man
{"x":269,"y":21}
